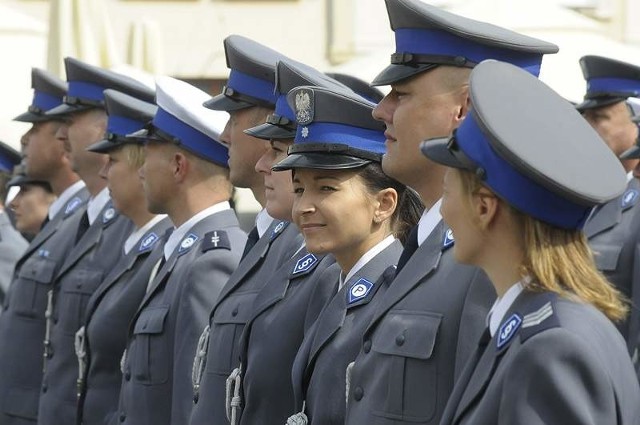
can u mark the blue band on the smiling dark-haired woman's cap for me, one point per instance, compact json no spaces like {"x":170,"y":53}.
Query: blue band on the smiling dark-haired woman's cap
{"x":356,"y":137}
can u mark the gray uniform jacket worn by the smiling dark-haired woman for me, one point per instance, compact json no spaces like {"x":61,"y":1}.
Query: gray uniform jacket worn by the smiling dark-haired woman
{"x":319,"y":372}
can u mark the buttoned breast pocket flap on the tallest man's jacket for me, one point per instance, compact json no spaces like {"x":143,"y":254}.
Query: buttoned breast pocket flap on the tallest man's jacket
{"x":407,"y":334}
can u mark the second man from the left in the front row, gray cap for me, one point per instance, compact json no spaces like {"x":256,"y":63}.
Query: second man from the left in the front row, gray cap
{"x":100,"y":229}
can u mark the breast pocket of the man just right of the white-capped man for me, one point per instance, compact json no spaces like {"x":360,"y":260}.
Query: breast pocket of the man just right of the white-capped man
{"x":229,"y":321}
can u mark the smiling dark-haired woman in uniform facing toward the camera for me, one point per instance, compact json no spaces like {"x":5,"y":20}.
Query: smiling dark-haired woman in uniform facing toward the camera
{"x":346,"y":206}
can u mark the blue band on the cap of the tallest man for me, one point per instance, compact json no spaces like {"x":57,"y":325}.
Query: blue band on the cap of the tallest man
{"x":439,"y":42}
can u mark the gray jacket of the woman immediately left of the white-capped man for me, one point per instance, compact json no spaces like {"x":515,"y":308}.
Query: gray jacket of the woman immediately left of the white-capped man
{"x":109,"y":312}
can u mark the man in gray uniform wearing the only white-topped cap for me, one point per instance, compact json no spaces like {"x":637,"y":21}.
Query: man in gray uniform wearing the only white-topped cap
{"x":185,"y":175}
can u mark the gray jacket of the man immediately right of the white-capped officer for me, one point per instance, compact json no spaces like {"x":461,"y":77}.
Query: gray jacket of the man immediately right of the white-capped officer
{"x":232,"y":311}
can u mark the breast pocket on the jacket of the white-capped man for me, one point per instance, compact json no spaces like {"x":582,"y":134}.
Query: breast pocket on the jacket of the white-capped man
{"x":149,"y":353}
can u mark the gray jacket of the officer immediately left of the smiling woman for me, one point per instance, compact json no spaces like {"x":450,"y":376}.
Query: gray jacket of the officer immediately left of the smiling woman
{"x":293,"y":297}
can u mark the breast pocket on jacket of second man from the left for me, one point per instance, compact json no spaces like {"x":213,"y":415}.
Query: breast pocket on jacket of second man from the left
{"x":71,"y":304}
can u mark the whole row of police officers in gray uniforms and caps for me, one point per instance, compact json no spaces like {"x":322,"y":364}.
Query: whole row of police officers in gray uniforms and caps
{"x":421,"y":257}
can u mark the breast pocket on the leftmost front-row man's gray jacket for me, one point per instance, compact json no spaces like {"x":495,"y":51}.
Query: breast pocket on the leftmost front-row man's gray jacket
{"x":29,"y":293}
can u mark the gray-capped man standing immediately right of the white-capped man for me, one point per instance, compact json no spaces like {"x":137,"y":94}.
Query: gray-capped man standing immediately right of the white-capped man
{"x":249,"y":96}
